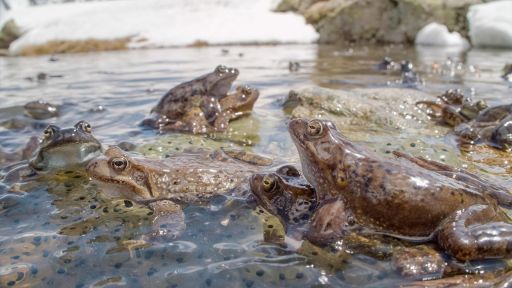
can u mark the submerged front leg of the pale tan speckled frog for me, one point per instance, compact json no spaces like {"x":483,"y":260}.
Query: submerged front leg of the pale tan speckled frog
{"x":169,"y":221}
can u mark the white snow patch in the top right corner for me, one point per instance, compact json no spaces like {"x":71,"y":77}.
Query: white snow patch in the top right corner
{"x":490,"y":24}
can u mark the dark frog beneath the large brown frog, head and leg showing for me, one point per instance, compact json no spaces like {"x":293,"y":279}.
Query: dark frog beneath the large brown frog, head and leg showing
{"x":288,"y":196}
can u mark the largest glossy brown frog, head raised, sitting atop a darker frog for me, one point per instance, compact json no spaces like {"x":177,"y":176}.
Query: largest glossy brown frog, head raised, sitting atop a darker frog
{"x":359,"y":190}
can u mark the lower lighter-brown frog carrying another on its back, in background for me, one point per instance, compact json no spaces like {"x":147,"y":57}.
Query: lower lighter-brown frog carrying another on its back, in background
{"x":232,"y":106}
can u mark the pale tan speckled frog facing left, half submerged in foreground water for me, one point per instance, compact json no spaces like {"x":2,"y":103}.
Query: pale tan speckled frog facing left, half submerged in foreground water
{"x":162,"y":184}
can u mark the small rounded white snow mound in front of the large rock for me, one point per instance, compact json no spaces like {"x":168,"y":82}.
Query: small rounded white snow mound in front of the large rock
{"x":435,"y":34}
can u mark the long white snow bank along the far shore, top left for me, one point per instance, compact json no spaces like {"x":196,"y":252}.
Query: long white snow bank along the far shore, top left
{"x":159,"y":23}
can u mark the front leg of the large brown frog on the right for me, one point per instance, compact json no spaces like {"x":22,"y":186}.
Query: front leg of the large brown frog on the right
{"x":329,"y":224}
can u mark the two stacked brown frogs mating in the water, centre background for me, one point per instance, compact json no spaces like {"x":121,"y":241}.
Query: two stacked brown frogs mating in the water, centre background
{"x":203,"y":104}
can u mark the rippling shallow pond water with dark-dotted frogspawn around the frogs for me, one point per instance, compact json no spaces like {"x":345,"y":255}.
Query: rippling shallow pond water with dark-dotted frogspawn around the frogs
{"x":64,"y":232}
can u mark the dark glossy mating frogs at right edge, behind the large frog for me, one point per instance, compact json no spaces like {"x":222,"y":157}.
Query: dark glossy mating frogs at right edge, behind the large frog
{"x":473,"y":122}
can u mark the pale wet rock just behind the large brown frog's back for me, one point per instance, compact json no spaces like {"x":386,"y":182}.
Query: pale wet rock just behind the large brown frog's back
{"x":385,"y":119}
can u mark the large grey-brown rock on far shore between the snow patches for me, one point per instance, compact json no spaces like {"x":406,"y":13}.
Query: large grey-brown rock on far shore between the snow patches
{"x":394,"y":21}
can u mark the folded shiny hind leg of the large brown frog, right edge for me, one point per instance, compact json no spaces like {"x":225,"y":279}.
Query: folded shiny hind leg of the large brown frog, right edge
{"x":477,"y":232}
